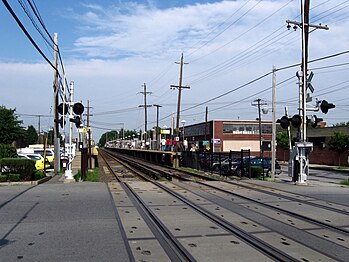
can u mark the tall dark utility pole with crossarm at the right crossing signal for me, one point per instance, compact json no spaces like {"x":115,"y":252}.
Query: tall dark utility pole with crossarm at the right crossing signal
{"x":302,"y":147}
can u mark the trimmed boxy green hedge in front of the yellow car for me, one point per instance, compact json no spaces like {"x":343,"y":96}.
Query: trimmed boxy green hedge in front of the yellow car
{"x":24,"y":167}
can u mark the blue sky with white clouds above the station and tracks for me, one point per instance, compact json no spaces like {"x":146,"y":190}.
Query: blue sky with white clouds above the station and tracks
{"x":110,"y":49}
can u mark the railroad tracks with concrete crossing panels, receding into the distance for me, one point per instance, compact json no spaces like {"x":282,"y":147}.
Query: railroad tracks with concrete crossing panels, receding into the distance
{"x":172,"y":215}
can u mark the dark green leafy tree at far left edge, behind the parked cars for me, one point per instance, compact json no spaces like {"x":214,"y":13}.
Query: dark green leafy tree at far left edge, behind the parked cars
{"x":10,"y":127}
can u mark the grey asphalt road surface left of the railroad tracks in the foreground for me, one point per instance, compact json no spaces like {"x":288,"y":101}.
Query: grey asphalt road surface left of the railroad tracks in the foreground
{"x":56,"y":221}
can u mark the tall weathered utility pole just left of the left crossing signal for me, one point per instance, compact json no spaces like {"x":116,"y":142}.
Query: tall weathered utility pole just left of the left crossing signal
{"x":55,"y":90}
